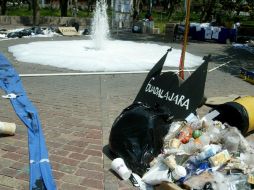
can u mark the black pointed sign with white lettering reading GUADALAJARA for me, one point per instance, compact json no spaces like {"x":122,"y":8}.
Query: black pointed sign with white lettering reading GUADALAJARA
{"x":168,"y":90}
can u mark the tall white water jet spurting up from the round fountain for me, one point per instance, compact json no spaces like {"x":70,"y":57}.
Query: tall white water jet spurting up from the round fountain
{"x":100,"y":26}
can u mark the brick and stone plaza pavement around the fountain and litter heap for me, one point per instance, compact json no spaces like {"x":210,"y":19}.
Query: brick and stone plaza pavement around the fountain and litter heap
{"x":77,"y":112}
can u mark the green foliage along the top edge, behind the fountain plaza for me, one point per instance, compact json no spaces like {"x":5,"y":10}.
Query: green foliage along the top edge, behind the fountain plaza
{"x":224,"y":9}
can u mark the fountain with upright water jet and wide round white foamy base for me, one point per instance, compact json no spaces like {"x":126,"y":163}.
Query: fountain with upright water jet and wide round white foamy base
{"x":98,"y":53}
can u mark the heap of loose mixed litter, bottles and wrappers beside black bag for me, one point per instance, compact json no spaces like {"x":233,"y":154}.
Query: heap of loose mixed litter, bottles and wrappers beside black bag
{"x":202,"y":154}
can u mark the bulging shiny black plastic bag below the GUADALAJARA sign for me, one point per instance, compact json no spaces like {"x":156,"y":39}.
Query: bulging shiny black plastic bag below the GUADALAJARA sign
{"x":137,"y":135}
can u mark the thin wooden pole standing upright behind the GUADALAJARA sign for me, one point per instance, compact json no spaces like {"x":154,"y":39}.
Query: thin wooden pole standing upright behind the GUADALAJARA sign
{"x":186,"y":31}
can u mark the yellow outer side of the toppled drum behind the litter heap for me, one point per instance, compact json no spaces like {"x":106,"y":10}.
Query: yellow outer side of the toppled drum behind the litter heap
{"x":248,"y":103}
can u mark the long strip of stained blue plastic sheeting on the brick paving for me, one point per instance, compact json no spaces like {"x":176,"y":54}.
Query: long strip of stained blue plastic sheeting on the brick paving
{"x":41,"y":177}
